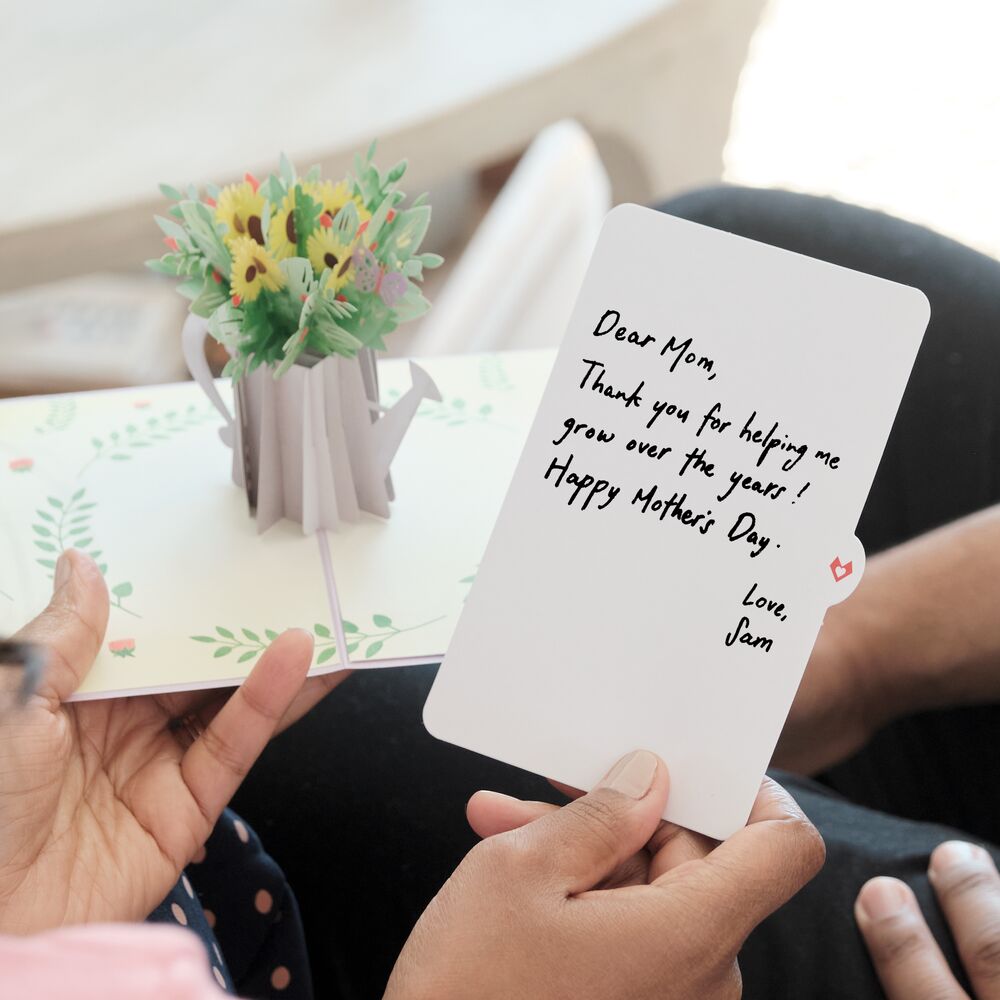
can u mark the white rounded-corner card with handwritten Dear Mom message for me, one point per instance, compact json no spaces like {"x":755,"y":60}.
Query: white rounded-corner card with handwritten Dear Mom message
{"x":682,"y":515}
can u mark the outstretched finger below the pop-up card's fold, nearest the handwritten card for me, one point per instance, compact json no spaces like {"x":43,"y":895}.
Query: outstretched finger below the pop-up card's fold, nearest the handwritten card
{"x":219,"y":759}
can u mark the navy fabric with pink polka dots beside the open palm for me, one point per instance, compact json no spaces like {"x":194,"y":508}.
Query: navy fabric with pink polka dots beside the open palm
{"x":235,"y":898}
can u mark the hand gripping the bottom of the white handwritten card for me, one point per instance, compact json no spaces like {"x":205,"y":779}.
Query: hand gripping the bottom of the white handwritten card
{"x":599,"y":899}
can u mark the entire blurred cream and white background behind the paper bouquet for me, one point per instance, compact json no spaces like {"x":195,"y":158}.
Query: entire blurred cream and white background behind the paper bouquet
{"x":524,"y":120}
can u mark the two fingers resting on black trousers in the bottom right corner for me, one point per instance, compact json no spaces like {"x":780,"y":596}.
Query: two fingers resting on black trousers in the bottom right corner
{"x":907,"y":959}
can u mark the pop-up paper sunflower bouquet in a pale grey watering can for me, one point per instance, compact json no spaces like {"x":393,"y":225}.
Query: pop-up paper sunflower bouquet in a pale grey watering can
{"x":301,"y":279}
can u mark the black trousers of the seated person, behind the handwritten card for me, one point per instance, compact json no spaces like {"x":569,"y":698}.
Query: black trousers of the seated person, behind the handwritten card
{"x":365,"y":811}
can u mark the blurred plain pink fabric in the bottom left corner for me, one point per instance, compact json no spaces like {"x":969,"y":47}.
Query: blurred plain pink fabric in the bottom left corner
{"x":107,"y":962}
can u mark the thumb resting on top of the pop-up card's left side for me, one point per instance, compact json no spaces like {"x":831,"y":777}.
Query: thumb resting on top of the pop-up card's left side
{"x":71,"y":627}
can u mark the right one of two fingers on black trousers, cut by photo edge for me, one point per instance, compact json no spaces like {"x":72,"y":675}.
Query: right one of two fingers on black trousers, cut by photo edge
{"x":967,"y":885}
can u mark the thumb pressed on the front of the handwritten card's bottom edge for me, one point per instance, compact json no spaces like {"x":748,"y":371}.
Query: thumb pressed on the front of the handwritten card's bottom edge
{"x":584,"y":842}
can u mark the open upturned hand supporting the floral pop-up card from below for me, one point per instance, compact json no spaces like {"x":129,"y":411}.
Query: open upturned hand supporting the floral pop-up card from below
{"x":103,"y":803}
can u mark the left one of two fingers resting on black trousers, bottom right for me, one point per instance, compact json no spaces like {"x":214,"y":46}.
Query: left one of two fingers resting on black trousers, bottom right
{"x":905,"y":955}
